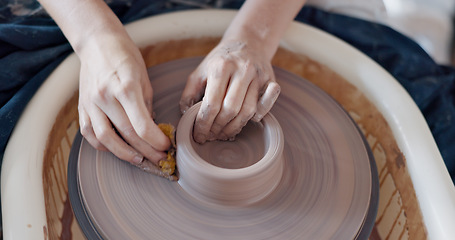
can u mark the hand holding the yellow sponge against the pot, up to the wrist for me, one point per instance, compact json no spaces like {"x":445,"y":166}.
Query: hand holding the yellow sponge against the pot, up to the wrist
{"x":115,"y":92}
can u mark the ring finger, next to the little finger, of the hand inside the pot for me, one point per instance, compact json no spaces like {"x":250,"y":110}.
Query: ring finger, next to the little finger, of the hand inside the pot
{"x":248,"y":110}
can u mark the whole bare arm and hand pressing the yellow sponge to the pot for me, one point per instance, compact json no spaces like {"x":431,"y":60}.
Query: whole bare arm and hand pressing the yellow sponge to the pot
{"x":114,"y":87}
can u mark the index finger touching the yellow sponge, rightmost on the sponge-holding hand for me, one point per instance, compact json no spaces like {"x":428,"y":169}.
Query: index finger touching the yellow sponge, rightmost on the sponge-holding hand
{"x":132,"y":101}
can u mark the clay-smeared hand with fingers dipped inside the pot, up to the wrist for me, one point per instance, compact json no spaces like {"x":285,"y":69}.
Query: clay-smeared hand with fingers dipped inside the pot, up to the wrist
{"x":239,"y":85}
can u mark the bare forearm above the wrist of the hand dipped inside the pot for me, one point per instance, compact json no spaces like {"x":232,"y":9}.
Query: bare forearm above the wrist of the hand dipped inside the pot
{"x":263,"y":22}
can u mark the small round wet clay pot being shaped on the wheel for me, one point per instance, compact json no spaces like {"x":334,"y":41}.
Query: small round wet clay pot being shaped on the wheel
{"x":239,"y":172}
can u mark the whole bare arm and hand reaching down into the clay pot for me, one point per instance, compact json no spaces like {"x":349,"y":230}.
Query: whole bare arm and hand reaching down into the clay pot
{"x":237,"y":77}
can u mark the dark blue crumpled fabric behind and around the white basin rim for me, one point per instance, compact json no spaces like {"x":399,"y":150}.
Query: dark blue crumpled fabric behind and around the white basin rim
{"x":30,"y":48}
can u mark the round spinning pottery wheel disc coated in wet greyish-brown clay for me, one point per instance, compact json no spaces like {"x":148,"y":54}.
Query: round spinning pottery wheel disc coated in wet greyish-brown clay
{"x":329,"y":188}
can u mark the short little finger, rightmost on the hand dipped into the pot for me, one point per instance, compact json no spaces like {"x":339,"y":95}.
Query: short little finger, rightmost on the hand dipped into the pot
{"x":267,"y":100}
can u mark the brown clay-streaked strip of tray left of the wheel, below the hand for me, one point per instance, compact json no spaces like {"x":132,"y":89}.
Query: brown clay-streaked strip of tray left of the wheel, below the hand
{"x":59,"y":214}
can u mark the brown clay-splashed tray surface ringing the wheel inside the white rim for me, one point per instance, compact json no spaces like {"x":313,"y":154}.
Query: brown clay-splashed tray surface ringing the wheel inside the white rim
{"x":397,"y":193}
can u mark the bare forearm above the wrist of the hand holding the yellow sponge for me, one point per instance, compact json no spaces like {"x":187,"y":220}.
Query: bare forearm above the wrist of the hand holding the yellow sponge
{"x":81,"y":20}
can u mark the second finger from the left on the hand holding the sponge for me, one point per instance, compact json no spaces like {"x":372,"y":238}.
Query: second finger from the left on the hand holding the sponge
{"x":107,"y":136}
